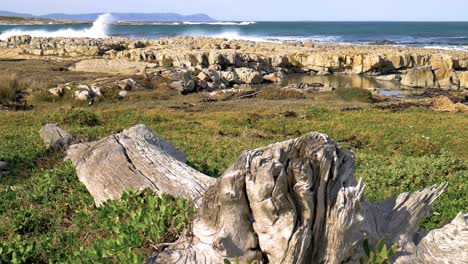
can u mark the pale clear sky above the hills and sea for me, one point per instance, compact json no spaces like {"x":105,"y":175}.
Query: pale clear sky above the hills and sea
{"x":241,"y":10}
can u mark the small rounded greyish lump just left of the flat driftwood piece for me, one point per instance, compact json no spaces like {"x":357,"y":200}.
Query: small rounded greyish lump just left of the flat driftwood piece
{"x":54,"y":137}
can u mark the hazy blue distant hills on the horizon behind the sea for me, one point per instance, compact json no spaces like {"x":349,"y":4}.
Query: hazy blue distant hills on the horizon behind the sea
{"x":125,"y":17}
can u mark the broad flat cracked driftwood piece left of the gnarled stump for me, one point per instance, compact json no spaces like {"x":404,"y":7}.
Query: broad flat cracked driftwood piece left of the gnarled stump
{"x":135,"y":159}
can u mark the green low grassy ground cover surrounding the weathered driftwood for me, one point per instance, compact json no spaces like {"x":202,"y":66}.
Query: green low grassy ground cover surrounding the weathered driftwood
{"x":46,"y":214}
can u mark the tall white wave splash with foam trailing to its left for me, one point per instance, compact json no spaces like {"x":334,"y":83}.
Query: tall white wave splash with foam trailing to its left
{"x":97,"y":30}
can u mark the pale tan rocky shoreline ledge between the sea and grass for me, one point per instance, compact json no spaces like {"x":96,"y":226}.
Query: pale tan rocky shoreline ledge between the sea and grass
{"x":195,"y":64}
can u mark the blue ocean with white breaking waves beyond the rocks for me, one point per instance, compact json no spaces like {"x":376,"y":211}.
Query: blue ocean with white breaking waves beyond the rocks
{"x":443,"y":35}
